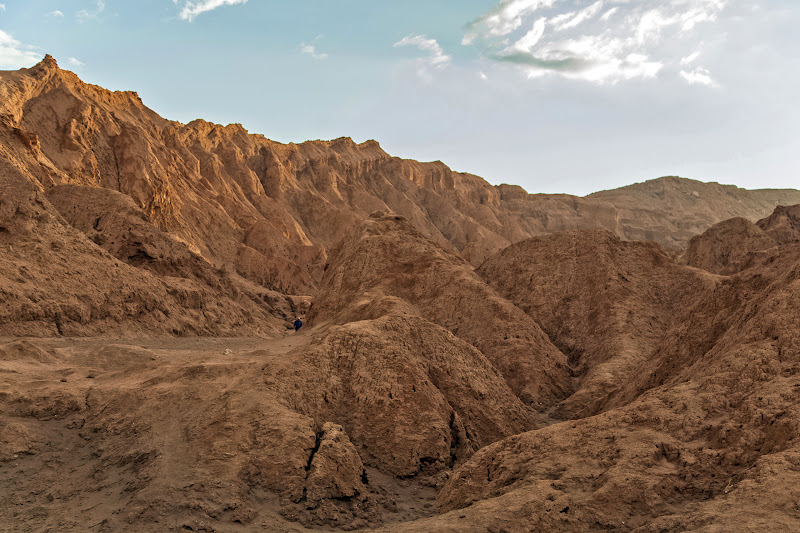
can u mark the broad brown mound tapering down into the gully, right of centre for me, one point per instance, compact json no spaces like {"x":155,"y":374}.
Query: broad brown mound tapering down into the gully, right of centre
{"x":606,"y":303}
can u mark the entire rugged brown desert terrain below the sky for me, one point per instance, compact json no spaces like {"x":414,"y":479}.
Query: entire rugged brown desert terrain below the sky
{"x":474,"y":358}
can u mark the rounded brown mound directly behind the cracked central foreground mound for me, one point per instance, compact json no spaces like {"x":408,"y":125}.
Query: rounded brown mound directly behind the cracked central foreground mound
{"x":387,"y":257}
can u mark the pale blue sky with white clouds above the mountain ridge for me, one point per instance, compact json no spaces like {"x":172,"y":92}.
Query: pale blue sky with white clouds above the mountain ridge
{"x":567,"y":96}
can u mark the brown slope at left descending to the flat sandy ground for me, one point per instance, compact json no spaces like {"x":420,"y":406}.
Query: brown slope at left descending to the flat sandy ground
{"x":56,"y":281}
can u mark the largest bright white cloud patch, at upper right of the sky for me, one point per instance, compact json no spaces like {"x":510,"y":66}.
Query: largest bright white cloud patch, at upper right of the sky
{"x":601,"y":41}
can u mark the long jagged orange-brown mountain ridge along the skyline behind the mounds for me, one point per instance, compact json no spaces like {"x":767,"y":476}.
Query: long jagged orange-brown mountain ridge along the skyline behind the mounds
{"x":270,"y":212}
